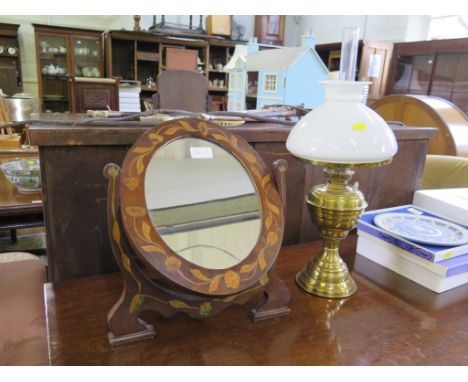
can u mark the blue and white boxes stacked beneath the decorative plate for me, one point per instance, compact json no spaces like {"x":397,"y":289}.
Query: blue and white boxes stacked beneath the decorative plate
{"x":436,"y":267}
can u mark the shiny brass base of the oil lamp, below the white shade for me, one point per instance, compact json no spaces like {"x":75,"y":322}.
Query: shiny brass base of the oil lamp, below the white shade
{"x":335,"y":208}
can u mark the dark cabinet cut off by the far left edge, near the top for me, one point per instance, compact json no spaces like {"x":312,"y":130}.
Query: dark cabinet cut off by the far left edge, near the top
{"x":10,"y":62}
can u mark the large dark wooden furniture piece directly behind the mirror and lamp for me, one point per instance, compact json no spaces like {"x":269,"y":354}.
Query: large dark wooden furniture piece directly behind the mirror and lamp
{"x":75,"y":211}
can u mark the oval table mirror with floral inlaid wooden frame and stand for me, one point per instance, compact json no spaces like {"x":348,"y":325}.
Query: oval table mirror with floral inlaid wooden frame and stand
{"x":196,"y":223}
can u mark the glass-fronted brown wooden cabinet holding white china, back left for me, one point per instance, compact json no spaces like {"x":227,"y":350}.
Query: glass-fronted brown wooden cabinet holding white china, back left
{"x":61,"y":53}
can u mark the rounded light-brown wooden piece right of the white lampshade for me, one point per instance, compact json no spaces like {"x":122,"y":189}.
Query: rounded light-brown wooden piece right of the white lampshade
{"x":427,"y":111}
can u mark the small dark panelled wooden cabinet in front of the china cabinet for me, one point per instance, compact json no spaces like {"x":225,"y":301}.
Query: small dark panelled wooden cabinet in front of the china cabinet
{"x":93,"y":94}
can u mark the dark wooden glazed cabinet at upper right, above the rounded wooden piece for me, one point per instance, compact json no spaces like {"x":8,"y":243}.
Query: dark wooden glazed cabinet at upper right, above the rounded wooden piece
{"x":436,"y":68}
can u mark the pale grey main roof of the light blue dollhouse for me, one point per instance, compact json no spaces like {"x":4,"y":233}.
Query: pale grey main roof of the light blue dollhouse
{"x":282,"y":58}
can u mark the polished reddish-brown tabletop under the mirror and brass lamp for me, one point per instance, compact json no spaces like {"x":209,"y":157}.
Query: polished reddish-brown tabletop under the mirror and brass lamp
{"x":389,"y":321}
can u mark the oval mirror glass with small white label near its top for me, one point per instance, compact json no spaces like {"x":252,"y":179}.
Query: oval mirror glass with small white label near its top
{"x":202,"y":202}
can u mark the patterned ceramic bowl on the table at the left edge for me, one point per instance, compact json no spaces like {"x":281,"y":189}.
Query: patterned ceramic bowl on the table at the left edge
{"x":24,"y":174}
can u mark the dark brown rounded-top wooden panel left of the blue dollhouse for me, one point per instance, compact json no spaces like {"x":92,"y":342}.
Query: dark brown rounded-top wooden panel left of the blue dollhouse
{"x":183,"y":90}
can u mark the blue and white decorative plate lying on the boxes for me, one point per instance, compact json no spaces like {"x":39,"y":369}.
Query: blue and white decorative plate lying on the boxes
{"x":423,"y":229}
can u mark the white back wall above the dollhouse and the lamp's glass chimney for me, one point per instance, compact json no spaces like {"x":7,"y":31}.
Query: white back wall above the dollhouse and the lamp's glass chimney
{"x":328,"y":29}
